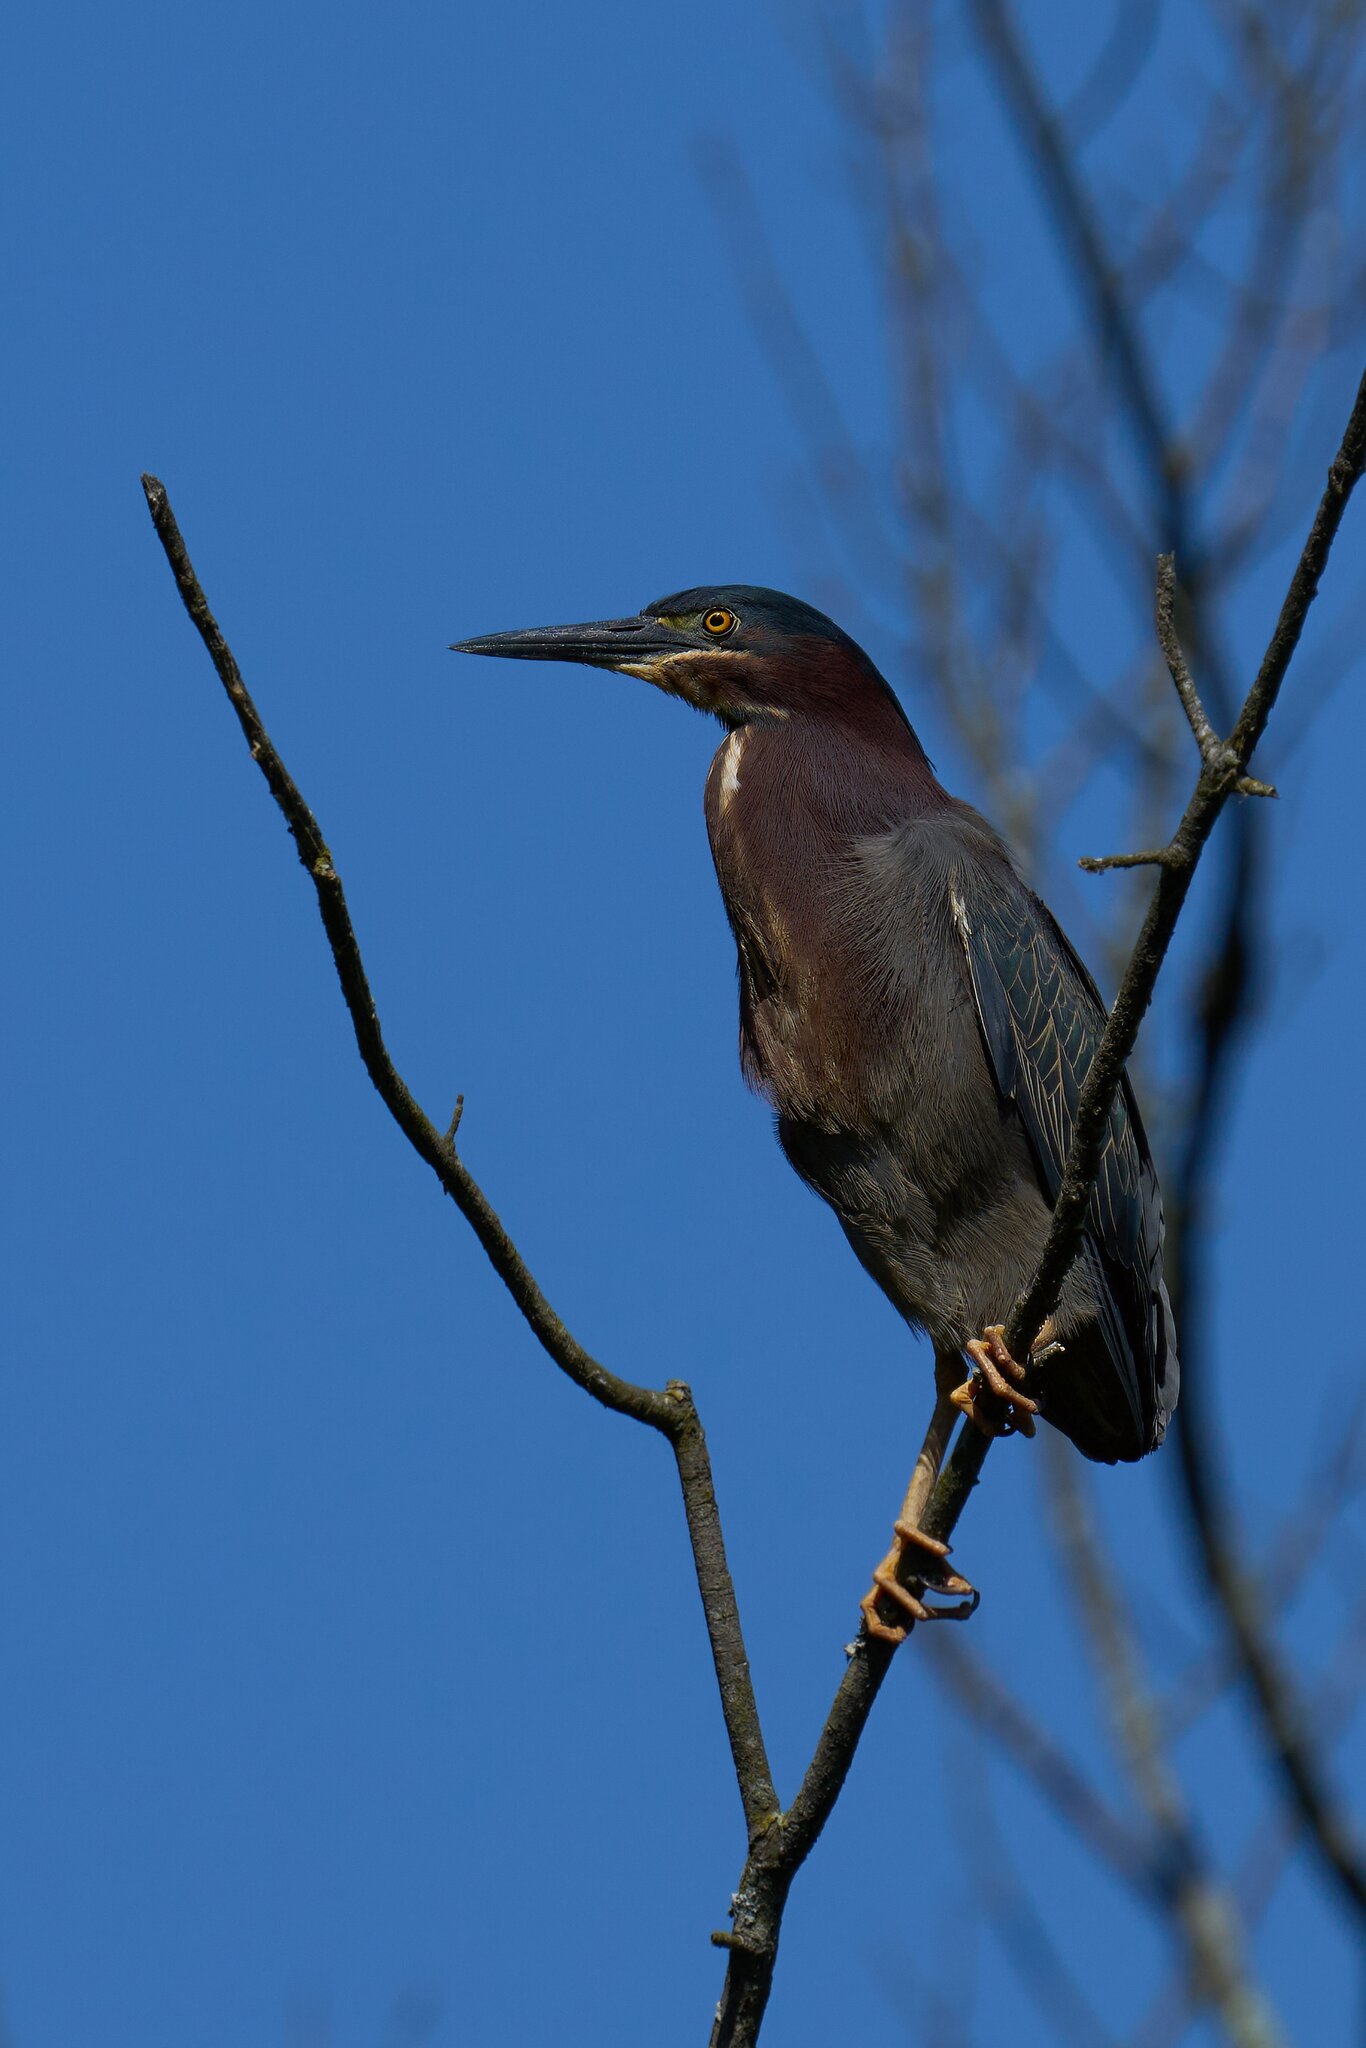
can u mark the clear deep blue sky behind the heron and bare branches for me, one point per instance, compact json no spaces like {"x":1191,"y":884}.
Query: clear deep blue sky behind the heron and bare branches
{"x":351,"y":1658}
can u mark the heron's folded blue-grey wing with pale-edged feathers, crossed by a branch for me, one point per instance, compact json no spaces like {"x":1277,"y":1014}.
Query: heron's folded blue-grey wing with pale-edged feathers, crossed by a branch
{"x":1041,"y":1019}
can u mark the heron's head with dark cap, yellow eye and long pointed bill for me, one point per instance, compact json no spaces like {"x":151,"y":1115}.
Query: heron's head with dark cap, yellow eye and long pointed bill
{"x":734,"y":650}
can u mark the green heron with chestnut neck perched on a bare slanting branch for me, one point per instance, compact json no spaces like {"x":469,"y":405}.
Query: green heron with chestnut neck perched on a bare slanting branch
{"x":921,"y":1025}
